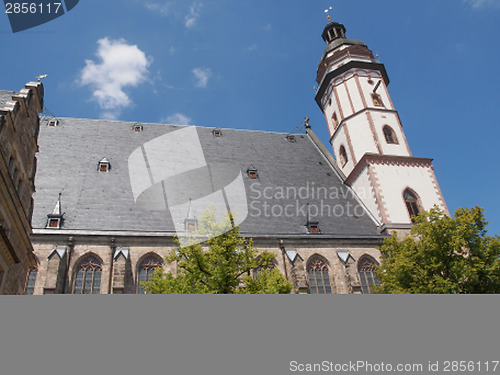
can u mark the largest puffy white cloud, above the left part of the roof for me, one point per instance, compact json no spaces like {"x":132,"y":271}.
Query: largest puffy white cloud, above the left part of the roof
{"x":120,"y":65}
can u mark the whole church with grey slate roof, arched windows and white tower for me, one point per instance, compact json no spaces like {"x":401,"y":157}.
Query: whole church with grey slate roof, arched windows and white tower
{"x":111,"y":195}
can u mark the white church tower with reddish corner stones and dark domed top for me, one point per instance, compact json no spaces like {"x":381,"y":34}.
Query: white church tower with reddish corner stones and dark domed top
{"x":367,"y":136}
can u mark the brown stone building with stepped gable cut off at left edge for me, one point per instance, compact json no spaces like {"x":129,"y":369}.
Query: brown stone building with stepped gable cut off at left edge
{"x":19,"y":127}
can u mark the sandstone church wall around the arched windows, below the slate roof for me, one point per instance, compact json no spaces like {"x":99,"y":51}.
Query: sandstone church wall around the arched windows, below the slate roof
{"x":122,"y":258}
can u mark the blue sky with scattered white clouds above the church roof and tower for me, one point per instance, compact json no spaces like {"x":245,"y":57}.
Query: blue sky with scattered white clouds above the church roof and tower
{"x":252,"y":65}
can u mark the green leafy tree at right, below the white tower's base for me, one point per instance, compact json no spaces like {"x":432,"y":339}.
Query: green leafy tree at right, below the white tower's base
{"x":442,"y":255}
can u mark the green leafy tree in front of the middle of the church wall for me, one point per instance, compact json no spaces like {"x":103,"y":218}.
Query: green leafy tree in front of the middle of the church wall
{"x":222,"y":264}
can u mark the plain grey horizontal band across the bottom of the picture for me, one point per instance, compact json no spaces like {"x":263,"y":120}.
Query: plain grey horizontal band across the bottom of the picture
{"x":240,"y":335}
